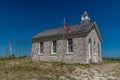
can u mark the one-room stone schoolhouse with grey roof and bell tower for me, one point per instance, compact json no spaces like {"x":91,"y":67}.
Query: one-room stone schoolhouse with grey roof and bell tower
{"x":83,"y":45}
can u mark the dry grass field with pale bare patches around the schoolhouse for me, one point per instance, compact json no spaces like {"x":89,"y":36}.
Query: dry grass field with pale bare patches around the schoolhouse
{"x":24,"y":69}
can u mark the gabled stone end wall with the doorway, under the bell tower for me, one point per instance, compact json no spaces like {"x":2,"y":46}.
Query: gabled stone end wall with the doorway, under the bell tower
{"x":95,"y":47}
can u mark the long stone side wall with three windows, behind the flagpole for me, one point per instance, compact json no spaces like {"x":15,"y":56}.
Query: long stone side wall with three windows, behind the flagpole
{"x":77,"y":56}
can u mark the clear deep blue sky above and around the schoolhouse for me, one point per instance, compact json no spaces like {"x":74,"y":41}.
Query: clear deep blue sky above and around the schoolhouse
{"x":22,"y":19}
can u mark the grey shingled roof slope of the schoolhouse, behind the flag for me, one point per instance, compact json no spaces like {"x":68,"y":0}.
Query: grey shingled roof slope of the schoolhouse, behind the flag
{"x":58,"y":31}
